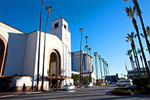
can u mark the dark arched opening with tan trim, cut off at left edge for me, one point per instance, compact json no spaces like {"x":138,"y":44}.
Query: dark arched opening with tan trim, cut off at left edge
{"x":3,"y":51}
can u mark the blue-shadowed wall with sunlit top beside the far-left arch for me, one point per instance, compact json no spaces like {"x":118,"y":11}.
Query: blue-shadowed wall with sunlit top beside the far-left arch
{"x":16,"y":49}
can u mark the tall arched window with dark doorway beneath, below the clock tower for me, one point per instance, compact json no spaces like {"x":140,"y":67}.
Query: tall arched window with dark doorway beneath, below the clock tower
{"x":54,"y":69}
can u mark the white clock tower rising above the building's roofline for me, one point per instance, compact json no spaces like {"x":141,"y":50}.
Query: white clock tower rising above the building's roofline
{"x":60,"y":29}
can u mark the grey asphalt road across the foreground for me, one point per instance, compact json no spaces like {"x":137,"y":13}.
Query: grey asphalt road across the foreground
{"x":95,"y":93}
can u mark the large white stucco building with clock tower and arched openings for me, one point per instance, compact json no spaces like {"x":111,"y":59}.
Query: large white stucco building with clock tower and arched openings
{"x":19,"y":54}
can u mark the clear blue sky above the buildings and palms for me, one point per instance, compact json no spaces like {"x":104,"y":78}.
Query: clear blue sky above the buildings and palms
{"x":104,"y":22}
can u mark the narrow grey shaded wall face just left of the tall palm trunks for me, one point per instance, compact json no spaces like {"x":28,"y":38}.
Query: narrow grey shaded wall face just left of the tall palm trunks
{"x":30,"y":52}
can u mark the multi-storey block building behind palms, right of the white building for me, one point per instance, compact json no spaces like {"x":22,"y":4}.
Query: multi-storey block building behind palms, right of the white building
{"x":86,"y":62}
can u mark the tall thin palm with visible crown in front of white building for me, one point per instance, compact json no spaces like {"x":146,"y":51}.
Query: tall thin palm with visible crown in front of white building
{"x":48,"y":8}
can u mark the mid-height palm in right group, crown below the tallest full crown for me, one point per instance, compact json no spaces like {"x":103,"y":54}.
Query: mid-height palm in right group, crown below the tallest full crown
{"x":130,"y":38}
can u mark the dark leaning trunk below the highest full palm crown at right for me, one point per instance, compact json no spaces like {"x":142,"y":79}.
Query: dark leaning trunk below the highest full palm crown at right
{"x":145,"y":61}
